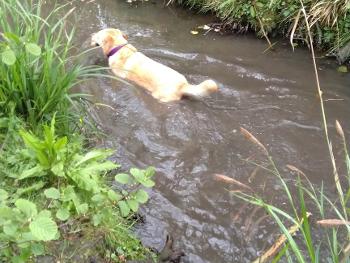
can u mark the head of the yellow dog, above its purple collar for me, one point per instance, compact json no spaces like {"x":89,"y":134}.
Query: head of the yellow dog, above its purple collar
{"x":108,"y":38}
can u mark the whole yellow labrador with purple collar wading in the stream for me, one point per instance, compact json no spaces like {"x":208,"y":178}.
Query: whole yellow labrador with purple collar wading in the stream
{"x":164,"y":83}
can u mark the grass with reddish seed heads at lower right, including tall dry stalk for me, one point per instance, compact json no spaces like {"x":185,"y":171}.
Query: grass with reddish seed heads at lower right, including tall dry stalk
{"x":331,"y":213}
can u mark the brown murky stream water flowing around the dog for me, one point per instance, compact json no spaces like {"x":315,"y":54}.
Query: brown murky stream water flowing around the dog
{"x":271,"y":94}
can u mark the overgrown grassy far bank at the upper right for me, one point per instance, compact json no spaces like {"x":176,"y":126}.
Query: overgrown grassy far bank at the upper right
{"x":329,"y":19}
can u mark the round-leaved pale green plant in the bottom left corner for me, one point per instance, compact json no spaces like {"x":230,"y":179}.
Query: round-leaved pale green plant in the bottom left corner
{"x":23,"y":228}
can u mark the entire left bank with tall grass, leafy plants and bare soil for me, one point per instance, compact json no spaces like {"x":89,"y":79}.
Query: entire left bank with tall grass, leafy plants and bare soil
{"x":57,"y":192}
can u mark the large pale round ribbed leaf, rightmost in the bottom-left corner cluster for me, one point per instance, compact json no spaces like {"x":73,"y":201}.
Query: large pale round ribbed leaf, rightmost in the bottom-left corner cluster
{"x":43,"y":228}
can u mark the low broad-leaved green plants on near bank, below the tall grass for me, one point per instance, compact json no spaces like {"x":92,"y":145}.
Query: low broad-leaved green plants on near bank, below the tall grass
{"x":67,"y":186}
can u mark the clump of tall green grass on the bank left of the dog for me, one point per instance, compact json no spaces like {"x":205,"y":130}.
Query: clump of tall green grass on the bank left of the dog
{"x":38,"y":69}
